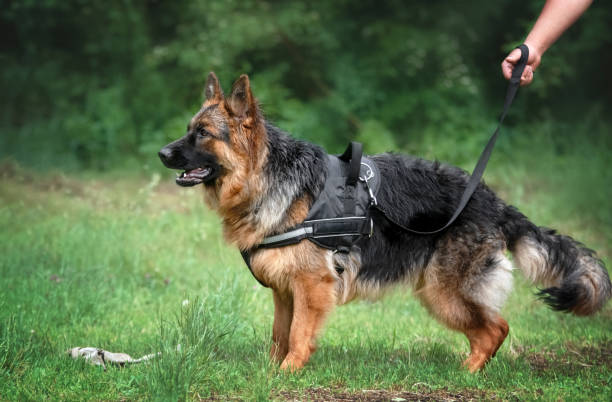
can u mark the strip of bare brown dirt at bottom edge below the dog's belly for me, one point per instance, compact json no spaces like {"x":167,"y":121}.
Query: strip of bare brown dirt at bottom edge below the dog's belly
{"x":326,"y":394}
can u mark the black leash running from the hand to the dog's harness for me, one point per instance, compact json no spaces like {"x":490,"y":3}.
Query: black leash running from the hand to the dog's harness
{"x":476,"y":176}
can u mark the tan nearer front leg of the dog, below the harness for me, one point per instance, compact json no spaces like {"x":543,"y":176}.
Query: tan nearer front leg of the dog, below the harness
{"x":313,"y":297}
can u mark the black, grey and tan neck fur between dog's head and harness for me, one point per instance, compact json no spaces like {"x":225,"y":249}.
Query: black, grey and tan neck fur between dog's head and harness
{"x":293,"y":175}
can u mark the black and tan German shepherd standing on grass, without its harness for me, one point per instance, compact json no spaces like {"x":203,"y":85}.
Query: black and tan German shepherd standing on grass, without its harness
{"x":262,"y":182}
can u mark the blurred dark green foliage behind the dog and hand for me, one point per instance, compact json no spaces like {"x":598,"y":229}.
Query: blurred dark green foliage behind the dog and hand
{"x":96,"y":84}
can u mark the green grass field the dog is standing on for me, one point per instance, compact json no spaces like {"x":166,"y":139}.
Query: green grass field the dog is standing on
{"x":136,"y":264}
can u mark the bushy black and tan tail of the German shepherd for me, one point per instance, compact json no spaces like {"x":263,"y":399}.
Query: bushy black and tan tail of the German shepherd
{"x":575,"y":279}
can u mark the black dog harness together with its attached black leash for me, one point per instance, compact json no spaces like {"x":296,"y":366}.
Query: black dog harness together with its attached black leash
{"x":340,"y":215}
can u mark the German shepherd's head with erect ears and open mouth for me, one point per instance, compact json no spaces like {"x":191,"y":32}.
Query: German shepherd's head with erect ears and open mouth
{"x":224,"y":139}
